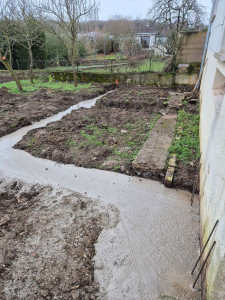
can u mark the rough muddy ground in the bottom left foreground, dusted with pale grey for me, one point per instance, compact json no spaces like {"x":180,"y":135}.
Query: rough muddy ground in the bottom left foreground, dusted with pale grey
{"x":47,"y":239}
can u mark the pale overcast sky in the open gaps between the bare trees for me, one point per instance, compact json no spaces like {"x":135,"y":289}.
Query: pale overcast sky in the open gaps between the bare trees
{"x":133,"y":8}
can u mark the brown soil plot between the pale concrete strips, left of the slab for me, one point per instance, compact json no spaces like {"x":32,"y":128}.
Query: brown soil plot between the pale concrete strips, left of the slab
{"x":107,"y":136}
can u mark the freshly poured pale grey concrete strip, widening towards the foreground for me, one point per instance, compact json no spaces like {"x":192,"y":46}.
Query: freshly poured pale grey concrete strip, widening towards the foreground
{"x":155,"y":244}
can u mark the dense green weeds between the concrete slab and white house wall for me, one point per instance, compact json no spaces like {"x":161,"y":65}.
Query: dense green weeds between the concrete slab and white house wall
{"x":187,"y":148}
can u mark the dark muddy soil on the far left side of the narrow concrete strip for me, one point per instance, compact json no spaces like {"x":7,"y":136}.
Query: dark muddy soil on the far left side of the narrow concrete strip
{"x":17,"y":111}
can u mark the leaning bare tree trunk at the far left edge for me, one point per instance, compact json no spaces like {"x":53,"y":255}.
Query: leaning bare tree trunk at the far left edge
{"x":6,"y":41}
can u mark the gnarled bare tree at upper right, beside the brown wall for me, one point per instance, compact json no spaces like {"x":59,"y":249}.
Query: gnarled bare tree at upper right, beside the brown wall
{"x":179,"y":16}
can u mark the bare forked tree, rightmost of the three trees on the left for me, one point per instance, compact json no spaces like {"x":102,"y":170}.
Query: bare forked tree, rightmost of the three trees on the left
{"x":62,"y":18}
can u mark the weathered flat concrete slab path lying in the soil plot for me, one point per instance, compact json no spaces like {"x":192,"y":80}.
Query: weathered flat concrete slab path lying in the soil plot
{"x":152,"y":157}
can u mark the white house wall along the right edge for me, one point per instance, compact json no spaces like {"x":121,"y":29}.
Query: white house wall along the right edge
{"x":212,"y":175}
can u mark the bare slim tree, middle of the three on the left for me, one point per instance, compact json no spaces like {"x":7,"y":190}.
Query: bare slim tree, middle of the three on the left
{"x":27,"y":30}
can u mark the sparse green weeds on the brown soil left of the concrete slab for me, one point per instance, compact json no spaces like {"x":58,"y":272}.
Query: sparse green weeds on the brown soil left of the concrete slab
{"x":129,"y":139}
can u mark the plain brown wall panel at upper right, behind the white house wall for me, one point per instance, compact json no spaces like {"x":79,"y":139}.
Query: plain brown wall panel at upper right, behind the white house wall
{"x":192,"y":48}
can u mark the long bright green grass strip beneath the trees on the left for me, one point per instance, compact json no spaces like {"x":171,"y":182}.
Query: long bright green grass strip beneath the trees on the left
{"x":40,"y":84}
